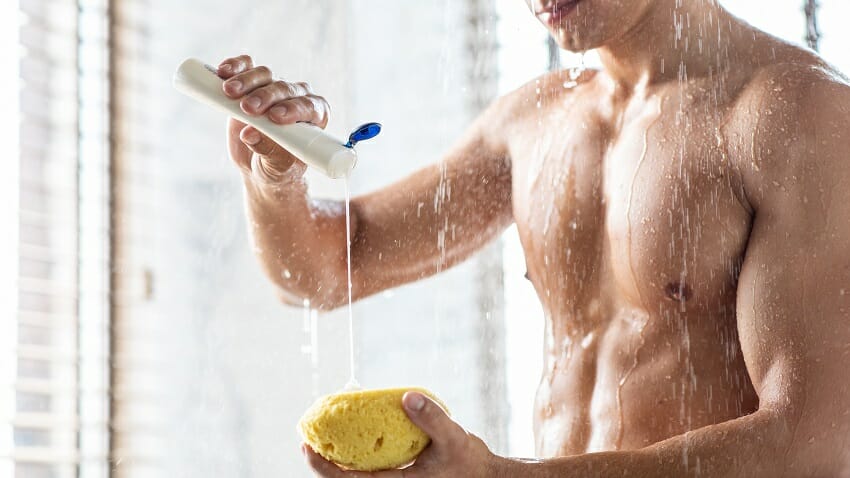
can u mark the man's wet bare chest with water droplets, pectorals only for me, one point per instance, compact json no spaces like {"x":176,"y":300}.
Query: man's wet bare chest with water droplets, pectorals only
{"x":644,"y":203}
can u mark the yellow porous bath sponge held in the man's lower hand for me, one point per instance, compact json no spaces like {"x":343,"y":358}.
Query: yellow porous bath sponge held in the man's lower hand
{"x":364,"y":430}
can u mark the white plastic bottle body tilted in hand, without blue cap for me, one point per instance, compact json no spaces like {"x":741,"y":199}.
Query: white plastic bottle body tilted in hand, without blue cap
{"x":307,"y":142}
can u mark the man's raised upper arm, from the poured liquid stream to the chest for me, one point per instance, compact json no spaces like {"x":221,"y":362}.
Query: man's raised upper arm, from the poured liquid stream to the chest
{"x":433,"y":218}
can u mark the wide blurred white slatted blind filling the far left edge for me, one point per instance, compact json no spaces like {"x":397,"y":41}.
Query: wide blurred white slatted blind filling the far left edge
{"x":47,"y":412}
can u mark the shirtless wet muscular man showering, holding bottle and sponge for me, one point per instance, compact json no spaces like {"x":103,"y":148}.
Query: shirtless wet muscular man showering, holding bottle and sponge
{"x":685,"y":216}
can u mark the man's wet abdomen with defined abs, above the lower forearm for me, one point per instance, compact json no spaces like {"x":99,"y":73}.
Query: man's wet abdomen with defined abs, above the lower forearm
{"x":627,"y":387}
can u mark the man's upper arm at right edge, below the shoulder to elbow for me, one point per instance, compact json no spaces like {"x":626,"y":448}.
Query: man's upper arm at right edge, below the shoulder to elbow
{"x":794,"y":328}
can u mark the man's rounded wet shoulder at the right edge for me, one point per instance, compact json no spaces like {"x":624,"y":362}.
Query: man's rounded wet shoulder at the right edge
{"x":786,"y":117}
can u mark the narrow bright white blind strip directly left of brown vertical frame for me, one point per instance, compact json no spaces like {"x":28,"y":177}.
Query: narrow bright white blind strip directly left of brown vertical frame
{"x":95,"y":238}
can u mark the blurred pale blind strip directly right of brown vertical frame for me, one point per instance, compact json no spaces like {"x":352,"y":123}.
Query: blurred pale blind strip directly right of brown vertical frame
{"x":139,"y":399}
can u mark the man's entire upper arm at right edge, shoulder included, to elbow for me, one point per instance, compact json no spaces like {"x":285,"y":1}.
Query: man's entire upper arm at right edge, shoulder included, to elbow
{"x":794,"y":287}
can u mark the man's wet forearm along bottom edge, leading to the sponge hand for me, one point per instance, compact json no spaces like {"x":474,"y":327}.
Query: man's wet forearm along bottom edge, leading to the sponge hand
{"x":753,"y":446}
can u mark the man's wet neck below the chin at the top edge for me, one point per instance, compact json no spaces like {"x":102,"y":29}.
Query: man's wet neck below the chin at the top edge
{"x":674,"y":39}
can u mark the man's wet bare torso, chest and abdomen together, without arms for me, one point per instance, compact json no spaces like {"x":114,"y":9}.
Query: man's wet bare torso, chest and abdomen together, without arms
{"x":634,"y":224}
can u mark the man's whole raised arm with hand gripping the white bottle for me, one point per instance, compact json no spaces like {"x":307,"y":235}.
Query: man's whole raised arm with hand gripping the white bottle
{"x":412,"y":229}
